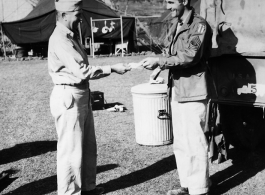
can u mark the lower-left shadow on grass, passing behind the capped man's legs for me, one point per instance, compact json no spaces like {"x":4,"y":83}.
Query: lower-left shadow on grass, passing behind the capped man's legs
{"x":48,"y":184}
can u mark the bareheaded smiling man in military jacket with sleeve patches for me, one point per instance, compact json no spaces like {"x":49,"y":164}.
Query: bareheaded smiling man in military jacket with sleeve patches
{"x":190,"y":43}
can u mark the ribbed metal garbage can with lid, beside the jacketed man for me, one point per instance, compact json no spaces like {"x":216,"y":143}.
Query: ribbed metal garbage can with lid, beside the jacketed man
{"x":152,"y":114}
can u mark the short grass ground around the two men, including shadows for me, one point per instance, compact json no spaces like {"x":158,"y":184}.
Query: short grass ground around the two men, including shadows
{"x":28,"y":140}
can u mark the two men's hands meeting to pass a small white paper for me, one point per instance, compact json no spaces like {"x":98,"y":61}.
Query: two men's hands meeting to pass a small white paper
{"x":149,"y":63}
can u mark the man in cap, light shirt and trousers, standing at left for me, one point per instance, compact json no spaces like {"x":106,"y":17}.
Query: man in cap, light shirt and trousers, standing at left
{"x":70,"y":71}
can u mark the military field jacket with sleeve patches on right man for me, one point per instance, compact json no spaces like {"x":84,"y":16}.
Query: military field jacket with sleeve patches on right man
{"x":188,"y":52}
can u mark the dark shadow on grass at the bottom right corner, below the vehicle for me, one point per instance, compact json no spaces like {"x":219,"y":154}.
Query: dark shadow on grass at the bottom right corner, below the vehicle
{"x":246,"y":164}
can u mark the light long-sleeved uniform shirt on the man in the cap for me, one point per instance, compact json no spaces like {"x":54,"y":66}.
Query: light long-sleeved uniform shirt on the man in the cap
{"x":67,"y":60}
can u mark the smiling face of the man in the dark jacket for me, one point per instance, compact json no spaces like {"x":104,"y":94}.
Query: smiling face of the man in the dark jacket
{"x":176,"y":7}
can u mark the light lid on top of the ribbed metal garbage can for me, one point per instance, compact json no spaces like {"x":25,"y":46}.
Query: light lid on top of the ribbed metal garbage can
{"x":147,"y":88}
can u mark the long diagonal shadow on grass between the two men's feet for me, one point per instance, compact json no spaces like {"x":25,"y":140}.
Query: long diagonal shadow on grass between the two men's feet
{"x":159,"y":168}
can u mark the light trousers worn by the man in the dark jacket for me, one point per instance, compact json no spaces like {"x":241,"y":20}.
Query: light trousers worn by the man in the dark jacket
{"x":190,"y":145}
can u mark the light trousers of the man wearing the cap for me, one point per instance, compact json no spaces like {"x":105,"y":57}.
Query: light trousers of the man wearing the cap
{"x":76,"y":147}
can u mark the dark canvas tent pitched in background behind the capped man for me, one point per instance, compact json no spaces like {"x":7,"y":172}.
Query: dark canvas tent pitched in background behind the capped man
{"x":39,"y":24}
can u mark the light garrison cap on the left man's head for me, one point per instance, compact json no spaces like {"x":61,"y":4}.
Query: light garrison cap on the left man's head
{"x":68,"y":5}
